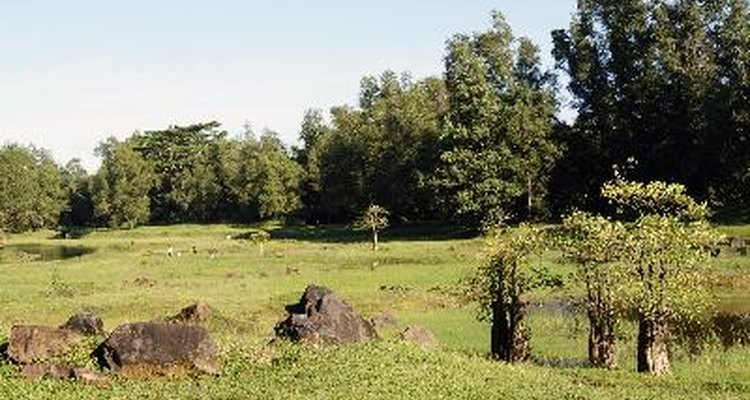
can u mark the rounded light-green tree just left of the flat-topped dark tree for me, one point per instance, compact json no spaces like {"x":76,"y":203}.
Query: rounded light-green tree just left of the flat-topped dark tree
{"x":121,"y":186}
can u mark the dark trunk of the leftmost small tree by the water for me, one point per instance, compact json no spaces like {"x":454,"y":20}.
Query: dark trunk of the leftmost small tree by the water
{"x":509,"y":340}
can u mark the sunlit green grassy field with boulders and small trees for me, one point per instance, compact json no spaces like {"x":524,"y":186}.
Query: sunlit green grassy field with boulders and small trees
{"x":126,"y":276}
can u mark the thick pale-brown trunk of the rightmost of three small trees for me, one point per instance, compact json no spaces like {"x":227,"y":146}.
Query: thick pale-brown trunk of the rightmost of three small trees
{"x":652,"y":352}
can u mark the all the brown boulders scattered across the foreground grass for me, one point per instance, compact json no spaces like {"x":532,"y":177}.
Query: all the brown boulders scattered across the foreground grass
{"x":179,"y":344}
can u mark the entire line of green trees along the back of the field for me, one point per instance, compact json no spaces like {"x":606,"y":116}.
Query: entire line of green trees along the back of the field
{"x":661,"y":90}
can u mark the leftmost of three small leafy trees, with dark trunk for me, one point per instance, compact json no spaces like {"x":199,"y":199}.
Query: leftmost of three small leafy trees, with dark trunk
{"x":501,"y":285}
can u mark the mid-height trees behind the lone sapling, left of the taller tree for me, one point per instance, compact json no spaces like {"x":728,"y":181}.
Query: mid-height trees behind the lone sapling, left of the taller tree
{"x":384,"y":151}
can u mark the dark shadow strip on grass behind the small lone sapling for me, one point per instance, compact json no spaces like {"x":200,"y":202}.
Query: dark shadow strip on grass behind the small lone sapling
{"x":346,"y":234}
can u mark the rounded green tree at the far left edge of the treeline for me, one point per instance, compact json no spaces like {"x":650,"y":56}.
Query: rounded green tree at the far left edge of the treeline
{"x":31,"y":193}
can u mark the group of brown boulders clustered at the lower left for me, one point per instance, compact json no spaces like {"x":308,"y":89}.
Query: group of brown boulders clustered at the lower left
{"x":134,"y":349}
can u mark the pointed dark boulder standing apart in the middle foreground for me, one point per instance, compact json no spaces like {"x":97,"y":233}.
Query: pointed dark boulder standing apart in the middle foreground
{"x":320,"y":316}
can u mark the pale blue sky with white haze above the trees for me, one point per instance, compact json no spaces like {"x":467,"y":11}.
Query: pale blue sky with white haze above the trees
{"x":75,"y":72}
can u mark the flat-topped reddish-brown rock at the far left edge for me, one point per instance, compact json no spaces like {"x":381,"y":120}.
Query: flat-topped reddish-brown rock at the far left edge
{"x":30,"y":343}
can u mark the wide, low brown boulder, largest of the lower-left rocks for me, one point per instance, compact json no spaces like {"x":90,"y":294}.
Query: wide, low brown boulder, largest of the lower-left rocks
{"x":151,"y":348}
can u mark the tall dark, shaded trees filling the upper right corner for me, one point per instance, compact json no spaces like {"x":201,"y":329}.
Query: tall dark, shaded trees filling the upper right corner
{"x":662,"y":82}
